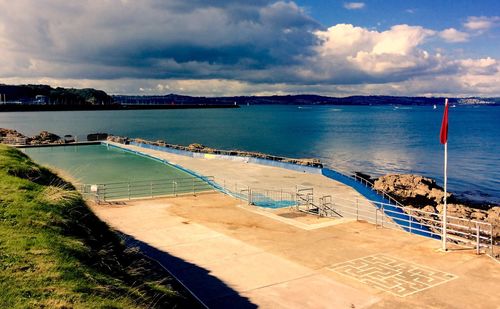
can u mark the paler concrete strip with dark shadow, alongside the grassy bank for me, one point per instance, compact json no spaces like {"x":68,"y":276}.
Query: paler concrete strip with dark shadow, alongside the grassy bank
{"x":222,"y":271}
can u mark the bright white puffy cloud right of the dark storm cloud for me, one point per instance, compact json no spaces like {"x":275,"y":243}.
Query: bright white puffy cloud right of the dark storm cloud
{"x":350,"y":54}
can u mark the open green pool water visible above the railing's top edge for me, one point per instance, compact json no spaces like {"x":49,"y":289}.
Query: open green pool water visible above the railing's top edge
{"x":98,"y":164}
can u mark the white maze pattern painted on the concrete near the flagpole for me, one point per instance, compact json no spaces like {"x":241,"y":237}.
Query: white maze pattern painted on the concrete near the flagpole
{"x":392,"y":275}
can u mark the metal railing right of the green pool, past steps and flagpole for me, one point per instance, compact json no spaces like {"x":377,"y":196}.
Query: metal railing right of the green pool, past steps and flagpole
{"x":394,"y":216}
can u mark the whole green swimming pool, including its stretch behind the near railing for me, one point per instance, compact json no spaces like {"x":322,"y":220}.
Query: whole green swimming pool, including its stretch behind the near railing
{"x":118,"y":173}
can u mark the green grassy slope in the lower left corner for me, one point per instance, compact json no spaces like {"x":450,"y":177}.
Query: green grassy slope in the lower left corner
{"x":54,"y":252}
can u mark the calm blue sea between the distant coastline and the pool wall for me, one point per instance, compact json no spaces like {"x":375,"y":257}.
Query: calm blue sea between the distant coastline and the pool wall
{"x":376,"y":140}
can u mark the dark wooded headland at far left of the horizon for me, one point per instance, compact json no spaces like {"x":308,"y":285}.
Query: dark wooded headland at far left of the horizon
{"x":44,"y":94}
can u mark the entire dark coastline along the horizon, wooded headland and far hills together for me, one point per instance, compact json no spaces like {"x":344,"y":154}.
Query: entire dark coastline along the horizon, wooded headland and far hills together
{"x":14,"y":98}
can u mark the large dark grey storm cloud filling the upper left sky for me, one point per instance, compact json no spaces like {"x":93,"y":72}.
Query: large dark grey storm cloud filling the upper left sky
{"x":156,"y":39}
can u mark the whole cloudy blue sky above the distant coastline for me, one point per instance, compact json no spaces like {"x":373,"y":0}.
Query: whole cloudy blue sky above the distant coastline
{"x":258,"y":47}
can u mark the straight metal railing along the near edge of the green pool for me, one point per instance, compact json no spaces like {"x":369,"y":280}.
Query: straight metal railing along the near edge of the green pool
{"x":147,"y":188}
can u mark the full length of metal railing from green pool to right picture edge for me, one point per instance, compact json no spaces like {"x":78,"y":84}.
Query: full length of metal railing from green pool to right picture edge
{"x":395,"y":216}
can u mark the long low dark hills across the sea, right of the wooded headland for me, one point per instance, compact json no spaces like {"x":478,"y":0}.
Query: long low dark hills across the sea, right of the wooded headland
{"x":303,"y":99}
